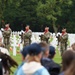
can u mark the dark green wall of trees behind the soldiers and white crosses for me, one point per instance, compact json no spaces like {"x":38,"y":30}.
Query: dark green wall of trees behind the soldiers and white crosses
{"x":53,"y":13}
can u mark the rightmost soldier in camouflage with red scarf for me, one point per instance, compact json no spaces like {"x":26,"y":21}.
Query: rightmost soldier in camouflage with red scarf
{"x":63,"y":42}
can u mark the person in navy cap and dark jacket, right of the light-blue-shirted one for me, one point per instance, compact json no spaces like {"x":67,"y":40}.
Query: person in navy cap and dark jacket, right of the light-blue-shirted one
{"x":49,"y":64}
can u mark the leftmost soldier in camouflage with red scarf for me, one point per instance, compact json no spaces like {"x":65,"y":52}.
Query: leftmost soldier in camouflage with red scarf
{"x":6,"y":35}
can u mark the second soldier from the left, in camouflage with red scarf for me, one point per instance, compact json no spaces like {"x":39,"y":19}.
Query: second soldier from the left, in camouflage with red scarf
{"x":27,"y":36}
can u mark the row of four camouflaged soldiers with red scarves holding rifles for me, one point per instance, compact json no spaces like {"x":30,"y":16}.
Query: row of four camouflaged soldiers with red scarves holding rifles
{"x":27,"y":34}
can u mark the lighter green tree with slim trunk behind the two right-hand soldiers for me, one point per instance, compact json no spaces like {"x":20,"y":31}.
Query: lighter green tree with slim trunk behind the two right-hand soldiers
{"x":51,"y":10}
